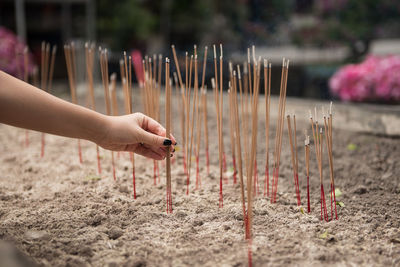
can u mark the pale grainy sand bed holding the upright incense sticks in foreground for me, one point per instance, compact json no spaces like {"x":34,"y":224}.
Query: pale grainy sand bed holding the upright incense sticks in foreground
{"x":59,"y":212}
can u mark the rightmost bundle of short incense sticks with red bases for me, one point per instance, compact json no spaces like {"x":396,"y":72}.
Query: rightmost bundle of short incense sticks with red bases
{"x":328,"y":135}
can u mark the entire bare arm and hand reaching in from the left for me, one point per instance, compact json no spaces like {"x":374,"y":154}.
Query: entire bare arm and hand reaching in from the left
{"x":23,"y":105}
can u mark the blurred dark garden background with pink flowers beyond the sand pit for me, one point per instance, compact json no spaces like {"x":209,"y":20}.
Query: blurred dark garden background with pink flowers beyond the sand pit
{"x":339,"y":49}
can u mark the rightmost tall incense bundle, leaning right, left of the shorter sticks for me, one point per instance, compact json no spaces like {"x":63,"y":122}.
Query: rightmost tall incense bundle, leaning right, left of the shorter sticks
{"x":279,"y":130}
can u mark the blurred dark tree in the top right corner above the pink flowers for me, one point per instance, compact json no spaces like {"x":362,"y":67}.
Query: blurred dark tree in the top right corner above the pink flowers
{"x":354,"y":23}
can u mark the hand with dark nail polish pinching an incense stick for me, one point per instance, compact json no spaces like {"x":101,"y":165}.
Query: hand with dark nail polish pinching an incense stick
{"x":136,"y":133}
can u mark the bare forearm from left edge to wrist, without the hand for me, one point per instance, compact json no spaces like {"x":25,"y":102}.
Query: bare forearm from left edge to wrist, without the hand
{"x":25,"y":106}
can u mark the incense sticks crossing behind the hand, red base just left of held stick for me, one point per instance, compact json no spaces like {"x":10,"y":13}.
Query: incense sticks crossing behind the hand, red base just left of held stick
{"x":126,"y":77}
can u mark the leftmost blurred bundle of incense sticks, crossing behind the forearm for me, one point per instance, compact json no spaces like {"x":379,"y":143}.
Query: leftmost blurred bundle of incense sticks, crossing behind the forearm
{"x":47,"y":70}
